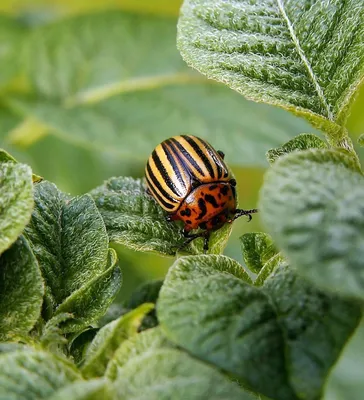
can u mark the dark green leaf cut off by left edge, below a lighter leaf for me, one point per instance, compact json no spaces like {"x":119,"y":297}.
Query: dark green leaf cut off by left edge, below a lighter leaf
{"x":21,"y":290}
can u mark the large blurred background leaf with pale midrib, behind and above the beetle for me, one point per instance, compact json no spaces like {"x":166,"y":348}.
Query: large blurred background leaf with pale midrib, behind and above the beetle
{"x":95,"y":90}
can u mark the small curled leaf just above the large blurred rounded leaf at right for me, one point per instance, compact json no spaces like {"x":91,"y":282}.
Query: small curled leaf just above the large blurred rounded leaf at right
{"x":304,"y":141}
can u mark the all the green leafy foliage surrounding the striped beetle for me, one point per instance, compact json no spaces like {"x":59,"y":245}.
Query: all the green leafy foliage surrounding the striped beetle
{"x":103,"y":89}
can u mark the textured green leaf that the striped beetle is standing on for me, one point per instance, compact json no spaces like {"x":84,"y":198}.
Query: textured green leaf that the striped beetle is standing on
{"x":134,"y":219}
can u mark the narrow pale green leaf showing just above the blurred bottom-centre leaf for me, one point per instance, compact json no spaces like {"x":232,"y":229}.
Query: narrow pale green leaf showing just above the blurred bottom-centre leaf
{"x":136,"y":347}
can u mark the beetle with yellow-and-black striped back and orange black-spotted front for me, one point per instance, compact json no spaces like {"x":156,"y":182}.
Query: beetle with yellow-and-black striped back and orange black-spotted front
{"x":190,"y":180}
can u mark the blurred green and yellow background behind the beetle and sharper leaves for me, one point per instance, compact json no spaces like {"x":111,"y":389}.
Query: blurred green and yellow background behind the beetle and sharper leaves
{"x":88,"y":88}
